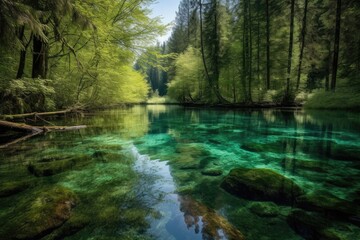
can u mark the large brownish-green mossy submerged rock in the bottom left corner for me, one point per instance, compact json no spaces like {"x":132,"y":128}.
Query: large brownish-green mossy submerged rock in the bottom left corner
{"x":39,"y":215}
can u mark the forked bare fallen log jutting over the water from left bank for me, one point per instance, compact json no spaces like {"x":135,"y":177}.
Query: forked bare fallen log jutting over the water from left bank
{"x":33,"y":130}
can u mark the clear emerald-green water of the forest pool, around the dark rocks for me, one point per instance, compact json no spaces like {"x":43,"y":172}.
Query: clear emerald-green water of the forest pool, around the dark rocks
{"x":142,"y":178}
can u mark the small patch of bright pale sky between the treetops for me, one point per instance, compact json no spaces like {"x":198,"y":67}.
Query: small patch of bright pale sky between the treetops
{"x":166,"y":9}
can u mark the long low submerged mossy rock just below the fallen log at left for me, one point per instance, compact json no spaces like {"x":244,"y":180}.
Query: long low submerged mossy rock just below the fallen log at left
{"x":51,"y":166}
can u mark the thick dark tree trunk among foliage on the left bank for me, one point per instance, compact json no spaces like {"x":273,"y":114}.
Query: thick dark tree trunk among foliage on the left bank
{"x":40,"y":61}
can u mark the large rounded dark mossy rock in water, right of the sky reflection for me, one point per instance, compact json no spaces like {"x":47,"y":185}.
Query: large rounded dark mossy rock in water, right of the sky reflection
{"x":262,"y":185}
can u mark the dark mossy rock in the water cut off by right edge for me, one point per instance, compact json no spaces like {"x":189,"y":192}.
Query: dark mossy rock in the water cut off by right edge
{"x":327,"y":203}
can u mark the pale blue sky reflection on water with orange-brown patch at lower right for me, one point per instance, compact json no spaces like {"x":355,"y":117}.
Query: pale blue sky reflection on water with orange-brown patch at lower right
{"x":182,"y":217}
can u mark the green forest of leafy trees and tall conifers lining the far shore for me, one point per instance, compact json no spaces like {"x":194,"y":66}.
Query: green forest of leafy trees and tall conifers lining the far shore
{"x":59,"y":54}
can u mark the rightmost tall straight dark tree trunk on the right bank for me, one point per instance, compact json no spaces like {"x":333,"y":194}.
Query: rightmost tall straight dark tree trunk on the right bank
{"x":336,"y":46}
